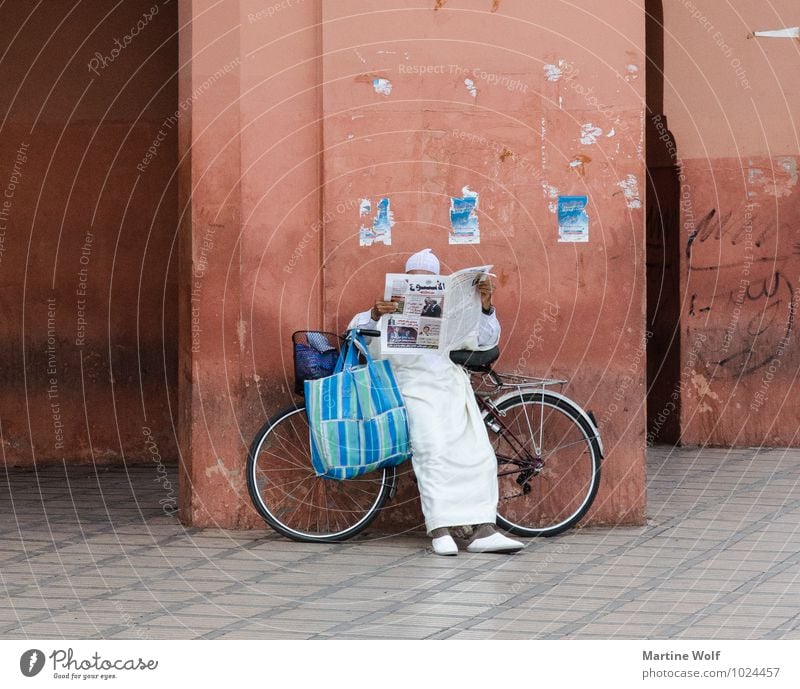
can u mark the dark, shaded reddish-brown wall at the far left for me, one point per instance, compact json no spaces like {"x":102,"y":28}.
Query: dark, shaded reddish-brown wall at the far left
{"x":88,"y":331}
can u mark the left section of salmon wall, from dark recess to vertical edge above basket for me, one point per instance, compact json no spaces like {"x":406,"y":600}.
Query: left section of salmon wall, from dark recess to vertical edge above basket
{"x":250,"y":145}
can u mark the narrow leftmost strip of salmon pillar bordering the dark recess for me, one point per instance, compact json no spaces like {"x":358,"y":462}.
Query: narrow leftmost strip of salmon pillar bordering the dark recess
{"x":210,"y":383}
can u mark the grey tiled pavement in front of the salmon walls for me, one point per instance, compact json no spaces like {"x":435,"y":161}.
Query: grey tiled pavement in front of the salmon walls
{"x":88,"y":553}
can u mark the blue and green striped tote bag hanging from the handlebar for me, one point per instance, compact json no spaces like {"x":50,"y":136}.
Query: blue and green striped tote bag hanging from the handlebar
{"x":357,"y":417}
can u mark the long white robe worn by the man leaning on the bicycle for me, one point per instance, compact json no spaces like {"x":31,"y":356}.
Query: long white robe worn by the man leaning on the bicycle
{"x":453,"y":460}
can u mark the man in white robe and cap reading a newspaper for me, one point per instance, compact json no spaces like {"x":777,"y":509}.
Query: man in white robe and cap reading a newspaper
{"x":452,"y":457}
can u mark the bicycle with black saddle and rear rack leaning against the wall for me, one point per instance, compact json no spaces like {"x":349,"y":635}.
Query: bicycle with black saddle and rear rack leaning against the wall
{"x":548,"y":452}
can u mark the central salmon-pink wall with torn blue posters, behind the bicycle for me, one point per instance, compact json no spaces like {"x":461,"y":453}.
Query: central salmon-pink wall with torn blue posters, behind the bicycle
{"x":279,"y":152}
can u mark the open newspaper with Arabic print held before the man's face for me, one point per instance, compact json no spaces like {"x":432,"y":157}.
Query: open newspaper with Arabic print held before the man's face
{"x":435,"y":313}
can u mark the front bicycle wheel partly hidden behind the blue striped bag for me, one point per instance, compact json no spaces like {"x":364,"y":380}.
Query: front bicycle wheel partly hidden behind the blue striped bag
{"x":296,"y":502}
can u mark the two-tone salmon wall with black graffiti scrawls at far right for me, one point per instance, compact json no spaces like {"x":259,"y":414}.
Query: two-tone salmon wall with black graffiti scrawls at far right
{"x":732,"y":101}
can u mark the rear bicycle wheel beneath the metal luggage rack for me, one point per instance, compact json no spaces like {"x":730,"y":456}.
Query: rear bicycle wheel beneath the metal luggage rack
{"x":548,"y":460}
